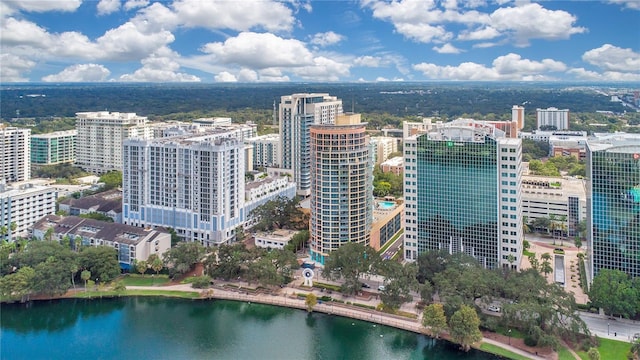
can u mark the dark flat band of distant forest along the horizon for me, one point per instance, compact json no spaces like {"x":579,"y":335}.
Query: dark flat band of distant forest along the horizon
{"x":397,"y":99}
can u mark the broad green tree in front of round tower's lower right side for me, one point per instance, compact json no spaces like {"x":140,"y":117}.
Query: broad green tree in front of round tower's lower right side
{"x":349,"y":262}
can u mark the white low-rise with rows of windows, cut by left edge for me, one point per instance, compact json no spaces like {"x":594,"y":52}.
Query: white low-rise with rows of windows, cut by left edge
{"x":23,"y":204}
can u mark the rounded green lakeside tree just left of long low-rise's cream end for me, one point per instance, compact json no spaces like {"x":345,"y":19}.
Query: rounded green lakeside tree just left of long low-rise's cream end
{"x":102,"y":261}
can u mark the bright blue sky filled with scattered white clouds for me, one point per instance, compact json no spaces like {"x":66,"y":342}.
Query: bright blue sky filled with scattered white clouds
{"x":318,"y":41}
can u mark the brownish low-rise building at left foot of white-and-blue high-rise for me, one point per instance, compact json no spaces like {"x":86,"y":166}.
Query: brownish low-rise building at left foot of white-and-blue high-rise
{"x":108,"y":203}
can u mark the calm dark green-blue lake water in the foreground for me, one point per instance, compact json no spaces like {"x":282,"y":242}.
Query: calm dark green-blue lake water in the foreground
{"x":162,"y":328}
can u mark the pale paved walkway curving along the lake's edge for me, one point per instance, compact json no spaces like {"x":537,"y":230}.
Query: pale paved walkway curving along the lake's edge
{"x":288,"y":297}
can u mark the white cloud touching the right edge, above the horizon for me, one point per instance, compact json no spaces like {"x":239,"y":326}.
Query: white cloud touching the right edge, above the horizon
{"x":613,"y":58}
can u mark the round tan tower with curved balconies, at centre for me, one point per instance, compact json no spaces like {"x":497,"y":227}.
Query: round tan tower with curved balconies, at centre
{"x":341,"y":185}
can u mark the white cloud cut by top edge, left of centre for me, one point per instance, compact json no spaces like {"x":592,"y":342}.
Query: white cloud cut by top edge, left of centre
{"x":235,"y":15}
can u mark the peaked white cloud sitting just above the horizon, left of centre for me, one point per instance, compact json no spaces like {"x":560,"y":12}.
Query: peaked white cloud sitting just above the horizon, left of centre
{"x":160,"y":67}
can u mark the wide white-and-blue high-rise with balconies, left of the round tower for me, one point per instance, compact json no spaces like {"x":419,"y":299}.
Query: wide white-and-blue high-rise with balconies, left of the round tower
{"x":192,"y":183}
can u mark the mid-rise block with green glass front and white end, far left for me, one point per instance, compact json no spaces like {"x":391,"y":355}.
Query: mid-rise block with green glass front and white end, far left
{"x":53,"y":148}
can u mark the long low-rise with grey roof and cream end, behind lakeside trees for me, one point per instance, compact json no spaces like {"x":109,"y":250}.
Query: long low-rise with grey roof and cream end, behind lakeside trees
{"x":132,"y":243}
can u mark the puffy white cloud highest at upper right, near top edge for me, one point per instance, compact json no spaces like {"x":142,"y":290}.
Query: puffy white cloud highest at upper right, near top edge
{"x":532,"y":21}
